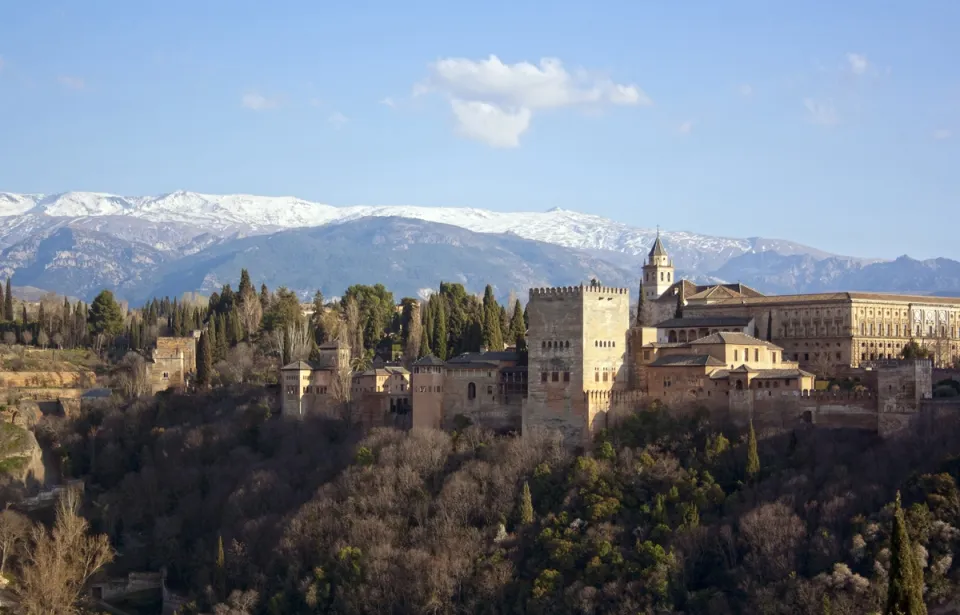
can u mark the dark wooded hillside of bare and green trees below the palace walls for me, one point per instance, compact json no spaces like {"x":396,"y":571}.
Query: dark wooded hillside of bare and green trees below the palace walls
{"x":667,"y":514}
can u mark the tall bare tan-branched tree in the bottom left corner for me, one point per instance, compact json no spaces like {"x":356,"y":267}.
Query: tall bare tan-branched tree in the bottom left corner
{"x":59,"y":563}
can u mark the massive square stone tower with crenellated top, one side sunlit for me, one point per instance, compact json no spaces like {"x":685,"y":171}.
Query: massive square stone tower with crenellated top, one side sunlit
{"x":576,"y":344}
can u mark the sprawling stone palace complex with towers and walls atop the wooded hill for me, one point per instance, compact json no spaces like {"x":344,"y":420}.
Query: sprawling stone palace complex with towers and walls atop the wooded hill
{"x":591,"y":358}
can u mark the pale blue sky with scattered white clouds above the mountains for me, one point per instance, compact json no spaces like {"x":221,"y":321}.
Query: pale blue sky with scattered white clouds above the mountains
{"x":834,"y":124}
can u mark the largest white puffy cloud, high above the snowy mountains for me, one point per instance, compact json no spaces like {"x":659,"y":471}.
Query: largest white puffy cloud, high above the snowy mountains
{"x":494,"y":102}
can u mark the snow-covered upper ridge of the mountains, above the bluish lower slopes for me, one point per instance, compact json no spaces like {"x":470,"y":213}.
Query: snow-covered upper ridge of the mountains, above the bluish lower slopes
{"x":172,"y":222}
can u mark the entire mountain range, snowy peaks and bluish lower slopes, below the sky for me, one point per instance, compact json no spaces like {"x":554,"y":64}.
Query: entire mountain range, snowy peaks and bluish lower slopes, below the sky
{"x":78,"y":243}
